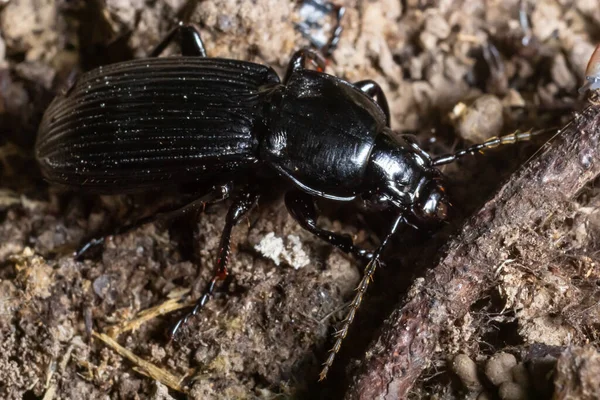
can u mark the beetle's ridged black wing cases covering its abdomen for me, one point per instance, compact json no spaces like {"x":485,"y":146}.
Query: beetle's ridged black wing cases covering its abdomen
{"x":154,"y":122}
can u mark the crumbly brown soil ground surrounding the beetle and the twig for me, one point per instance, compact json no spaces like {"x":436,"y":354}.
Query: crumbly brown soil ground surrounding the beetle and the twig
{"x":454,"y":72}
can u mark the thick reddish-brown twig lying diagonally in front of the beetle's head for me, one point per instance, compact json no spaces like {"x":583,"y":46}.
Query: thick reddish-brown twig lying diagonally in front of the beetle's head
{"x":408,"y":338}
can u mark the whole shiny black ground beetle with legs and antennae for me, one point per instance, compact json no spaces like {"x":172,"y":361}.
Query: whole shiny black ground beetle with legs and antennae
{"x":160,"y":123}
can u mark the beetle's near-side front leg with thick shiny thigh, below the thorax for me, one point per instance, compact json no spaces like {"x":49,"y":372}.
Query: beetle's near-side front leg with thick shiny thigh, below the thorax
{"x":302,"y":208}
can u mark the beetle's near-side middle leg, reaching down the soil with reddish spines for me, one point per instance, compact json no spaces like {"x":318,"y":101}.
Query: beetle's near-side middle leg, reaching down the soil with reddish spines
{"x":243,"y":203}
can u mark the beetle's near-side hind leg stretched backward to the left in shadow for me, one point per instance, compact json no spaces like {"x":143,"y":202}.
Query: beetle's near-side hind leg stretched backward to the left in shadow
{"x":216,"y":194}
